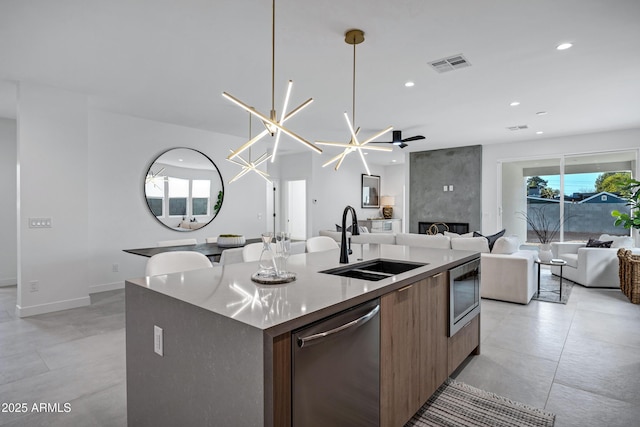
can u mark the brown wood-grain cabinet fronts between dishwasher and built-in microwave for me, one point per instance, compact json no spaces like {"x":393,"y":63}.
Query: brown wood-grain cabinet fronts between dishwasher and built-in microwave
{"x":416,"y":354}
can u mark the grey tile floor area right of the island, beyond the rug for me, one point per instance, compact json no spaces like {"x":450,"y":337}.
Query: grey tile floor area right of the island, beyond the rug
{"x":580,"y":361}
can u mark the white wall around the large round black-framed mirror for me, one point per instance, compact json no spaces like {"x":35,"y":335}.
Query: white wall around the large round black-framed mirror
{"x":121,"y":148}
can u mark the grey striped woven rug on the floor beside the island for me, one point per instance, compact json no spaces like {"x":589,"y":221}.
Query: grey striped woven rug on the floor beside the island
{"x":456,"y":404}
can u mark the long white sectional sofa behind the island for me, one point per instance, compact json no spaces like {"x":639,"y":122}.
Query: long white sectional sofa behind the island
{"x":507,"y":273}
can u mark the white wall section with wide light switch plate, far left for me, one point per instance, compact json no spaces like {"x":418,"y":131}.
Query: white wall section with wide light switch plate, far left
{"x":52,"y":182}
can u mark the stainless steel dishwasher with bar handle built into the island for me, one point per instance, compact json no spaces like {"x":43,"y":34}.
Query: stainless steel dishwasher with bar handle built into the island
{"x":336,"y":370}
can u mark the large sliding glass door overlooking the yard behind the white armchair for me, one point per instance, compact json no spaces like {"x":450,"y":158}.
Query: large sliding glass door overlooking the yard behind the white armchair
{"x":567,"y":198}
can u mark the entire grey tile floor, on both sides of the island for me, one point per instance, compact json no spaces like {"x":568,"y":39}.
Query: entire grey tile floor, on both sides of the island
{"x":580,"y":360}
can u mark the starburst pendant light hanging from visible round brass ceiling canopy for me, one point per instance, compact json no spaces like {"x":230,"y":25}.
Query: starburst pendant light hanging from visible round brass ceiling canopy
{"x":354,"y":37}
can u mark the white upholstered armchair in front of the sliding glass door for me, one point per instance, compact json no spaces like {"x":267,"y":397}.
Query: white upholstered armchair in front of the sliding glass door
{"x":591,"y":267}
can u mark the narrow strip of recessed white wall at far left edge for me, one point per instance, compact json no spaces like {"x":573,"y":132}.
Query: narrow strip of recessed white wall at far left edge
{"x":8,"y":230}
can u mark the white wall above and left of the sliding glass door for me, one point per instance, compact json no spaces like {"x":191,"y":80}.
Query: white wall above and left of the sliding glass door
{"x":588,"y":143}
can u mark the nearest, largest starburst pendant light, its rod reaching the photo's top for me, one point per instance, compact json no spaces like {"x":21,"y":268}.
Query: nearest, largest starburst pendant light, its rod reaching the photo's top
{"x":273,"y":124}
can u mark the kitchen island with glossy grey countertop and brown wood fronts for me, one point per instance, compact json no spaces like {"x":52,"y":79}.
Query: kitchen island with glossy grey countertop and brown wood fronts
{"x":226,"y":341}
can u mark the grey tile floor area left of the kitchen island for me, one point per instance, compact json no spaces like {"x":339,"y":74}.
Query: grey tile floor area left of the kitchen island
{"x":73,"y":356}
